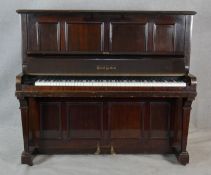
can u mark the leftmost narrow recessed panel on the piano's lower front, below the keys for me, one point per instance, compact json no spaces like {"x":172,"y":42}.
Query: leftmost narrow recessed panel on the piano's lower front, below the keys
{"x":50,"y":120}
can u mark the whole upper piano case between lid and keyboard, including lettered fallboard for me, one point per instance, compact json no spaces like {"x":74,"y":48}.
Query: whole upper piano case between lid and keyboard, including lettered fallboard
{"x":91,"y":43}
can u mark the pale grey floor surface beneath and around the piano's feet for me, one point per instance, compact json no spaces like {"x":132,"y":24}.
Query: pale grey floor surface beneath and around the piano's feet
{"x":11,"y":146}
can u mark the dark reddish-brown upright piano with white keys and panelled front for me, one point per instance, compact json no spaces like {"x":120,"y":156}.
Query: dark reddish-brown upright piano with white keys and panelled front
{"x":105,"y":82}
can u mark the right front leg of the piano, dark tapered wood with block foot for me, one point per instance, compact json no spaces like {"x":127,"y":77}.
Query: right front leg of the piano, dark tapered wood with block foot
{"x":183,"y":156}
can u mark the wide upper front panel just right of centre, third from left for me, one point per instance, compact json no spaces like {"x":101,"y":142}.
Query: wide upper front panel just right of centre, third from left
{"x":128,"y":37}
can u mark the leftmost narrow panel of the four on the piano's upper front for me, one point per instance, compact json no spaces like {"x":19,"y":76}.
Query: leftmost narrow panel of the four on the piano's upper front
{"x":44,"y":34}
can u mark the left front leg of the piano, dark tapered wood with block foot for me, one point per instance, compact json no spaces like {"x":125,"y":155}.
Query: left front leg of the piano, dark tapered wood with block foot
{"x":26,"y":157}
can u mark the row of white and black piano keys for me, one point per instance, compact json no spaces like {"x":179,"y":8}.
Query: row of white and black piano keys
{"x":110,"y":83}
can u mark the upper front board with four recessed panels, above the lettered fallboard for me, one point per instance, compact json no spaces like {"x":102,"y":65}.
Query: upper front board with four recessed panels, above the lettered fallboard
{"x":107,"y":33}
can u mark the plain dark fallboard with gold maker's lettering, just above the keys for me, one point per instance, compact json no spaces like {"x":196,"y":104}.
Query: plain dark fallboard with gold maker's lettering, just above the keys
{"x":105,"y":67}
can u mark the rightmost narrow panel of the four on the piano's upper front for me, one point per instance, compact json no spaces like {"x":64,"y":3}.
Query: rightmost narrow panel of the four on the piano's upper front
{"x":168,"y":34}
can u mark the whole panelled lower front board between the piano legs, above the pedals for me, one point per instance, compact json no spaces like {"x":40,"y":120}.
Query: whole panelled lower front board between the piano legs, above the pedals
{"x":68,"y":125}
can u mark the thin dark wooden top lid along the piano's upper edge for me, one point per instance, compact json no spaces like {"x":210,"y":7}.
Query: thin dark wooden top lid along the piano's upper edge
{"x":106,"y":11}
